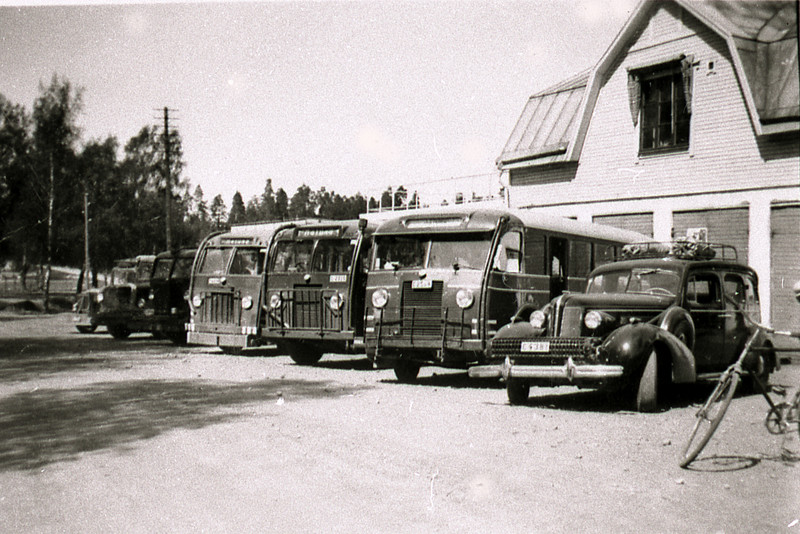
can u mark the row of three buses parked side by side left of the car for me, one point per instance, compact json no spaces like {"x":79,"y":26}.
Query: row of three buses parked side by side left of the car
{"x":423,"y":288}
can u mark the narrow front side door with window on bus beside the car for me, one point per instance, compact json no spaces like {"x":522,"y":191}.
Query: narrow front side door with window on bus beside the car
{"x":505,"y":282}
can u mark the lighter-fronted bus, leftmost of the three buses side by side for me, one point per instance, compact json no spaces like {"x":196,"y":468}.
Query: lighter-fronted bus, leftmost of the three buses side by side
{"x":226,"y":287}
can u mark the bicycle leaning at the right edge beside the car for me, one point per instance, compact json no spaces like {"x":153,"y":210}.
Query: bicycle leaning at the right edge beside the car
{"x":708,"y":417}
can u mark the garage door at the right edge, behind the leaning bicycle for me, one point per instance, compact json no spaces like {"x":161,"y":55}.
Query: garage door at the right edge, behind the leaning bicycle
{"x":785,"y":310}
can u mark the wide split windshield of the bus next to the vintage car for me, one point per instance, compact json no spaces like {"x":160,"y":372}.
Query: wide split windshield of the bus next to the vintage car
{"x":438,"y":251}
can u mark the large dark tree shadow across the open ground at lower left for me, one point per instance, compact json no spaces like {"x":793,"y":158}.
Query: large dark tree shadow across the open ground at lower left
{"x":55,"y":425}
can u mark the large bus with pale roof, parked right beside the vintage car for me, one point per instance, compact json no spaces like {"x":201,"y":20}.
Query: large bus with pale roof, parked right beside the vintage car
{"x":440,"y":285}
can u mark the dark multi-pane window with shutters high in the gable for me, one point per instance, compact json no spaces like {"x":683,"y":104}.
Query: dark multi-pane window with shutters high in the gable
{"x":661,"y":103}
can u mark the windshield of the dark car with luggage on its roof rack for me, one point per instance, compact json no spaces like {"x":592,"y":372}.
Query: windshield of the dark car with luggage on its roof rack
{"x":654,"y":281}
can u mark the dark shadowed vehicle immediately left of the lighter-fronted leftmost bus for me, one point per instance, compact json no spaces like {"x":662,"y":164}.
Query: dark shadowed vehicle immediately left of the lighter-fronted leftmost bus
{"x":167,"y":305}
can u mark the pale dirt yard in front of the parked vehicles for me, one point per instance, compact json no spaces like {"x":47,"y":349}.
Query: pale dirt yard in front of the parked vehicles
{"x":98,"y":435}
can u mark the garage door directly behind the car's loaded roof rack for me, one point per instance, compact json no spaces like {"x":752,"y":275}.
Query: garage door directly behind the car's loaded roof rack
{"x":725,"y":226}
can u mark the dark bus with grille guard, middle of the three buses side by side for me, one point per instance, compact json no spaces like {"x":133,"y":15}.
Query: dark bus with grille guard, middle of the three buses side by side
{"x":316,"y":284}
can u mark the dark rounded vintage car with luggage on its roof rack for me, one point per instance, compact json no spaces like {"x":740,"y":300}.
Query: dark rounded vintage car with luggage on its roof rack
{"x":665,"y":314}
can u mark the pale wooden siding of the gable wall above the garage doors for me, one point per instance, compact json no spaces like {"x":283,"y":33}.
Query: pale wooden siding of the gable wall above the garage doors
{"x":724,"y":153}
